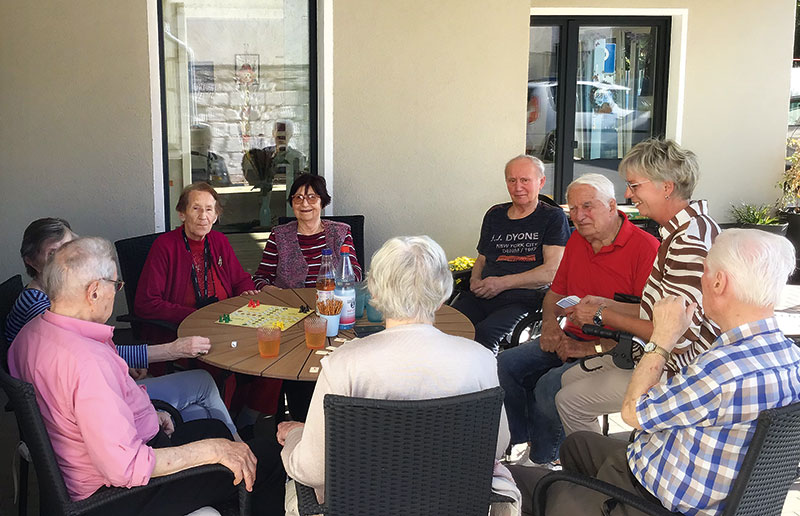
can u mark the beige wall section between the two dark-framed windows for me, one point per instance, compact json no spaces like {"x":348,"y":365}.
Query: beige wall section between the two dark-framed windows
{"x":428,"y":105}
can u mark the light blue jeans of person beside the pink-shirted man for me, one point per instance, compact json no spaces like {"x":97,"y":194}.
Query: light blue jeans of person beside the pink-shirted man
{"x":193,"y":393}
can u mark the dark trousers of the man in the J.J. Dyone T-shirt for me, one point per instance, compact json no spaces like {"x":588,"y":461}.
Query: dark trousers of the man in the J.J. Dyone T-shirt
{"x":494,"y":318}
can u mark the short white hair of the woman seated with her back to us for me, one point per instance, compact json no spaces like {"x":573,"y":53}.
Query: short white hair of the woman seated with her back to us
{"x":409,"y":278}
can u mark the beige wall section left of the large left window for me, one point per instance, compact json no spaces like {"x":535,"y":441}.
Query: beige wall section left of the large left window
{"x":76,"y":134}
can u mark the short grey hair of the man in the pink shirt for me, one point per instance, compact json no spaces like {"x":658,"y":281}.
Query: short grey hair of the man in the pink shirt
{"x":76,"y":264}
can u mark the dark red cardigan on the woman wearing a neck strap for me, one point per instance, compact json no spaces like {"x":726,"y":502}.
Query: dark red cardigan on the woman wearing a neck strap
{"x":167,"y":273}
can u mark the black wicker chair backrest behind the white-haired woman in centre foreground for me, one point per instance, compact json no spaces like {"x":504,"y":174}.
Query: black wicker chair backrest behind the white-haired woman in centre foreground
{"x":400,"y":457}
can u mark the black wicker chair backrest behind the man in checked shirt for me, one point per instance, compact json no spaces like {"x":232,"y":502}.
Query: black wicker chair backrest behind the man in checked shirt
{"x":770,"y":465}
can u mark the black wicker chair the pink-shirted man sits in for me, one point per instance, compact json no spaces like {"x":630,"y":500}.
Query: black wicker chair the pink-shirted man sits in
{"x":53,"y":497}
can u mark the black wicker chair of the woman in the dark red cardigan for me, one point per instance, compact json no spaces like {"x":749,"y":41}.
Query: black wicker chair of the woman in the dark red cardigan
{"x":132,"y":253}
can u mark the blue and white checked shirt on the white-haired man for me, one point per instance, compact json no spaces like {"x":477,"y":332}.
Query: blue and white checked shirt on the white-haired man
{"x":697,"y":425}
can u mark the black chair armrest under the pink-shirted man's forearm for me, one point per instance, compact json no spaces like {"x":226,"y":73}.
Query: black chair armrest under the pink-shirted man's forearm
{"x":107,"y":495}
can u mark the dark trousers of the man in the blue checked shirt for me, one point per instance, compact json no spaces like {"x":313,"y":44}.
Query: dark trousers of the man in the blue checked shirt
{"x":590,"y":454}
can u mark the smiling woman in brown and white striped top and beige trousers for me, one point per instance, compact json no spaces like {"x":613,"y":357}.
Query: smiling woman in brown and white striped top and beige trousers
{"x":660,"y":178}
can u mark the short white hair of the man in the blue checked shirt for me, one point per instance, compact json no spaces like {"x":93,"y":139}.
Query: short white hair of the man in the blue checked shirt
{"x":758,"y":264}
